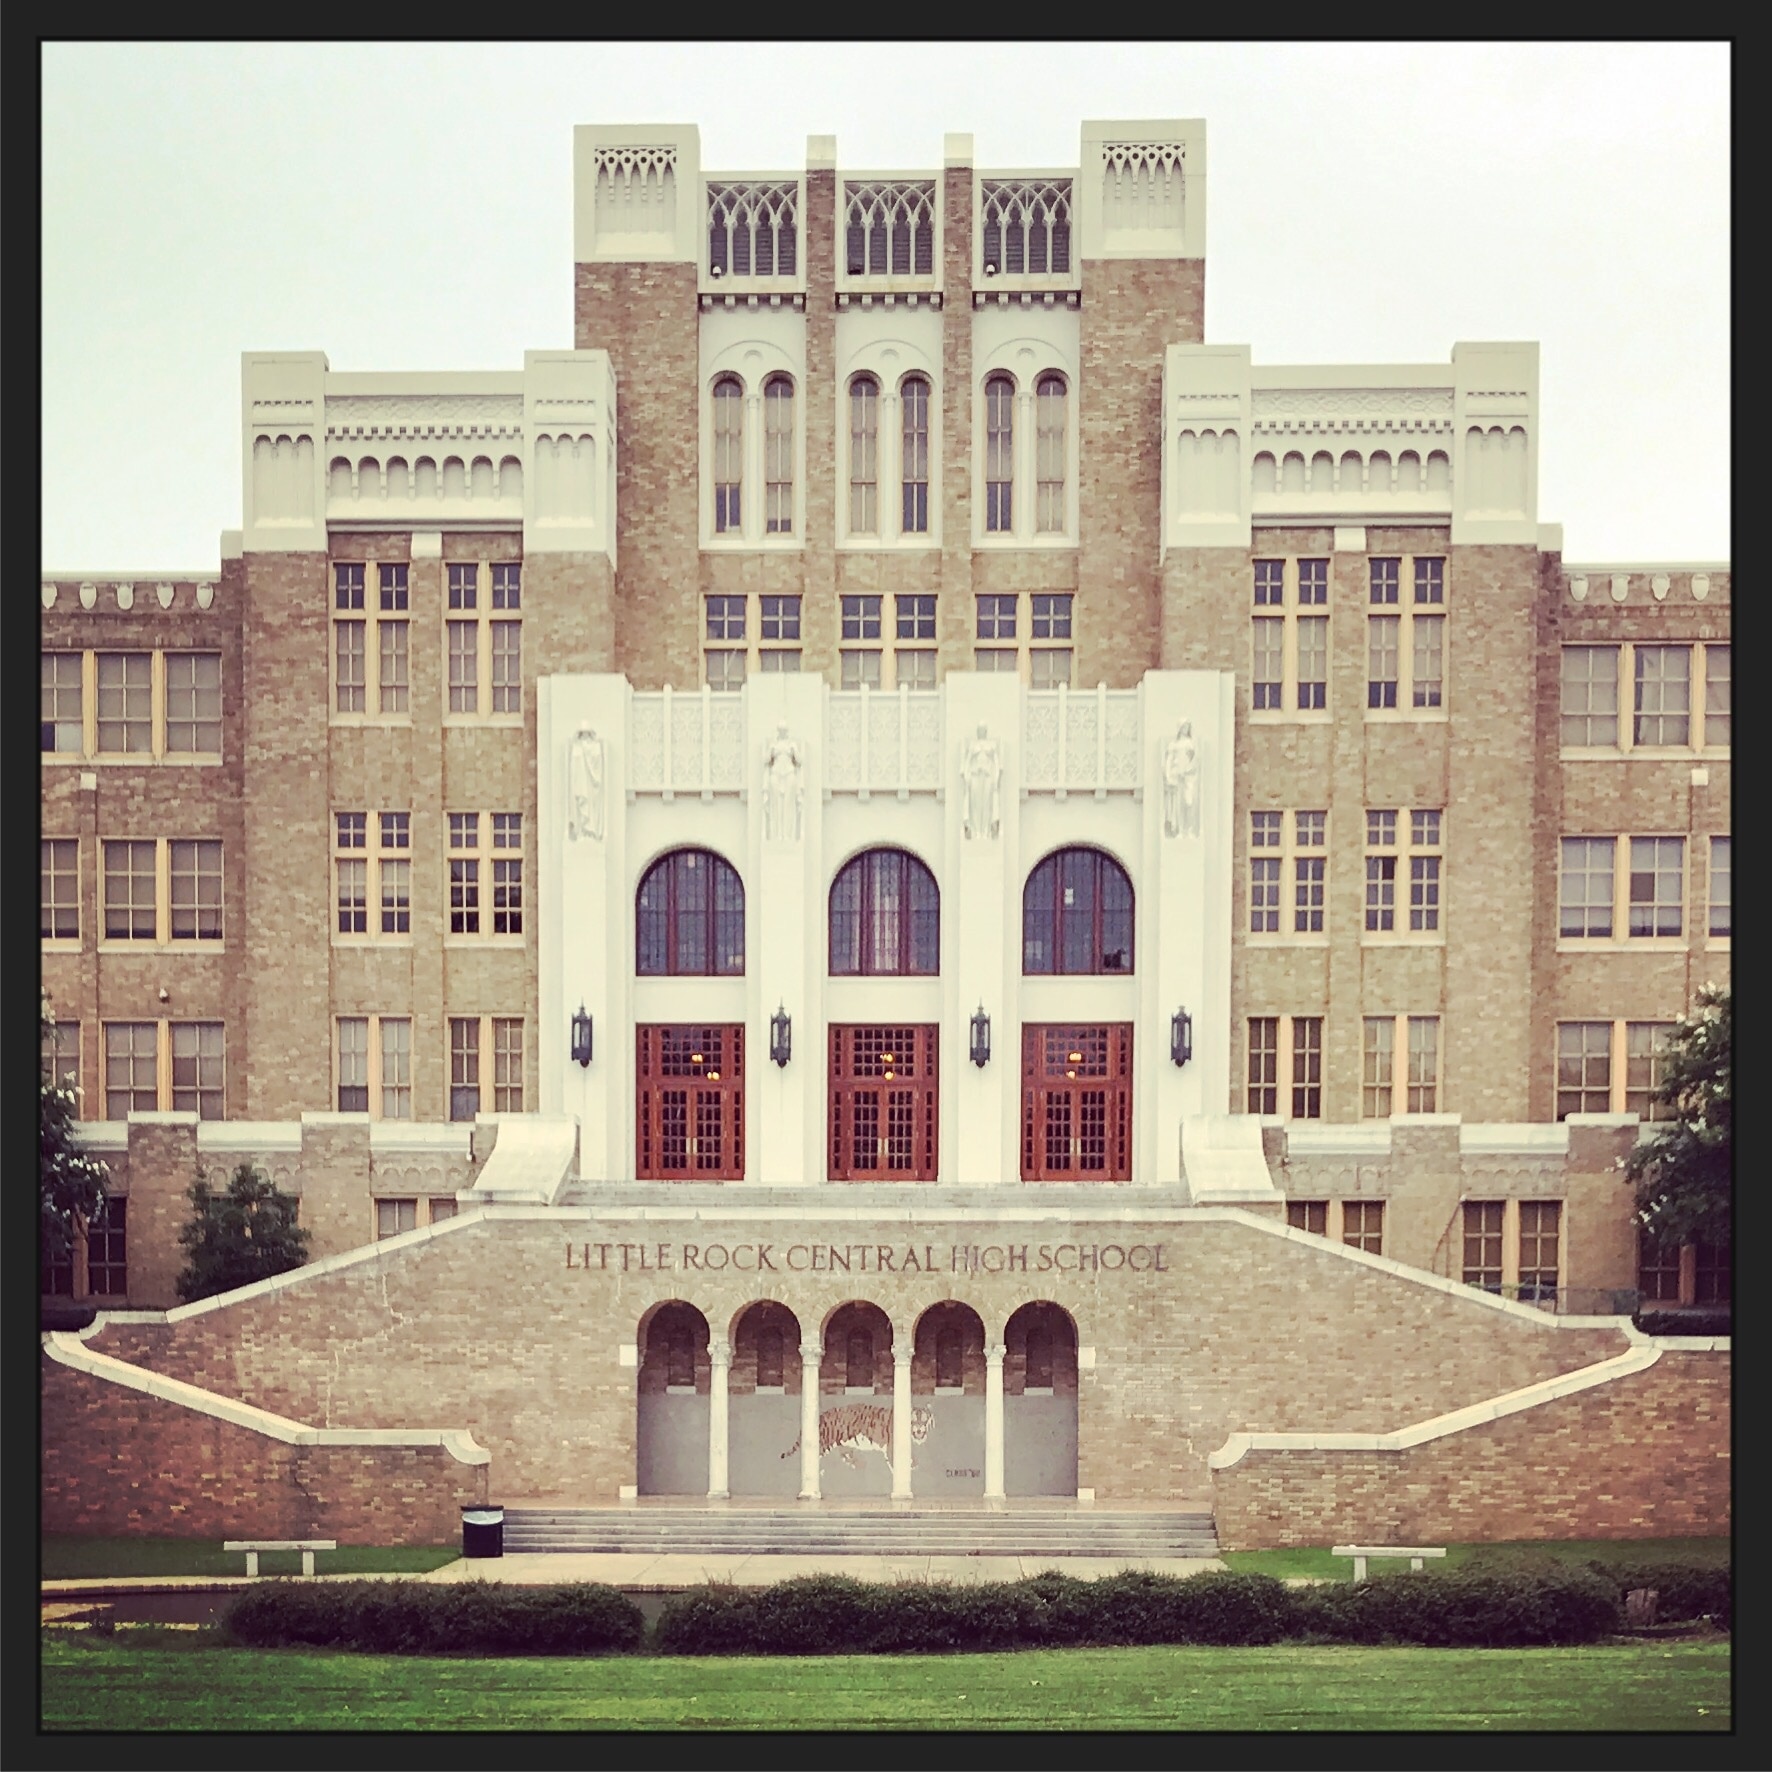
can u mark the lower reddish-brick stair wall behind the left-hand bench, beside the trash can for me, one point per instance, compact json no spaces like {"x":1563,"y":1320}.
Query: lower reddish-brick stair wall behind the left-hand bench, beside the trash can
{"x":123,"y":1463}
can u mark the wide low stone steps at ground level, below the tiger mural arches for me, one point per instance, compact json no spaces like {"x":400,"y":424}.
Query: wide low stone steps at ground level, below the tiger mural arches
{"x":862,"y":1532}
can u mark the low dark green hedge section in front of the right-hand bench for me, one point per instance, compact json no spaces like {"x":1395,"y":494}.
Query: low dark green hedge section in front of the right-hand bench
{"x":1470,"y":1608}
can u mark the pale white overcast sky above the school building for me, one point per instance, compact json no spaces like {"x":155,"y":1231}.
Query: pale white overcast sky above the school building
{"x":412,"y":208}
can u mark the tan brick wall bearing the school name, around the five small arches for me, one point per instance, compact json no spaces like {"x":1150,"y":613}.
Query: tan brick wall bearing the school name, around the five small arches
{"x":486,"y":1326}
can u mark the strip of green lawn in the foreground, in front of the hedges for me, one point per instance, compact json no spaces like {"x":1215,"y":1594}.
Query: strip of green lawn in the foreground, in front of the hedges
{"x":187,"y":1681}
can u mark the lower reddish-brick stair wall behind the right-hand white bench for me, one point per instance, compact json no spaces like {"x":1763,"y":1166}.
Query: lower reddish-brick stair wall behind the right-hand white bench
{"x":1642,"y":1457}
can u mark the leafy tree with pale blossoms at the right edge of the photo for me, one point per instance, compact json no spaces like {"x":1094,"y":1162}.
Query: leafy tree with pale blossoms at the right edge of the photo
{"x":1684,"y":1172}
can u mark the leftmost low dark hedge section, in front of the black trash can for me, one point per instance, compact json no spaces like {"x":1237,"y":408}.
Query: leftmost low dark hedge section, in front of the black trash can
{"x":437,"y":1619}
